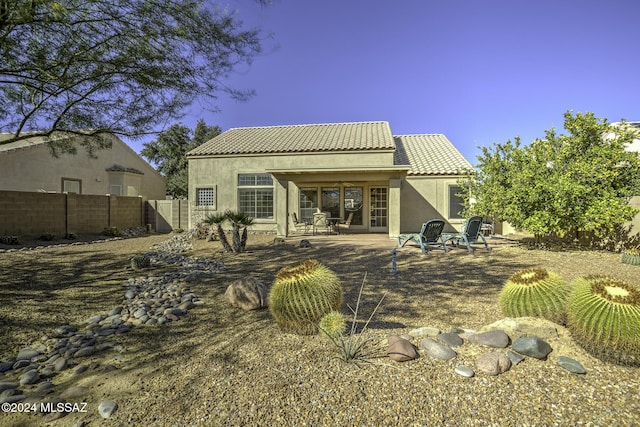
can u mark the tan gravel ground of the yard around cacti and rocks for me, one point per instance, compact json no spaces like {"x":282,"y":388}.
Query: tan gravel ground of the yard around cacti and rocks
{"x":221,"y":366}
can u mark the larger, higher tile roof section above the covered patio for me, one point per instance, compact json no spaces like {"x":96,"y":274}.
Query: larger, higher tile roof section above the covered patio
{"x":299,"y":138}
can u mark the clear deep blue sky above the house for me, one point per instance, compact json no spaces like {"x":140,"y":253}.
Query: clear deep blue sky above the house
{"x":477,"y":71}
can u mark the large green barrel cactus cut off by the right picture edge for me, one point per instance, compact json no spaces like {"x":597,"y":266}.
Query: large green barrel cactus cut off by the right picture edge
{"x":604,"y":318}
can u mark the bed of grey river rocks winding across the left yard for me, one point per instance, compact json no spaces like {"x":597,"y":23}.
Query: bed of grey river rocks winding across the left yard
{"x":152,"y":300}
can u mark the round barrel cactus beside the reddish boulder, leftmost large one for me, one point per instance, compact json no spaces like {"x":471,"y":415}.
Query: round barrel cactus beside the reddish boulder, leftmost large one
{"x":302,"y":295}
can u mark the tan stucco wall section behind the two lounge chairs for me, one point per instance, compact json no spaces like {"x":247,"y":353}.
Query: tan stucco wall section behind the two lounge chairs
{"x":424,"y":198}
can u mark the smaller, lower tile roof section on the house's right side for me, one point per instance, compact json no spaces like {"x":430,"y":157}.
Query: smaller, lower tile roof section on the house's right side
{"x":429,"y":154}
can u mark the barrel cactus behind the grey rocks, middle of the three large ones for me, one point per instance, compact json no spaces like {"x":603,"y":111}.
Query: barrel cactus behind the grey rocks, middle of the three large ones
{"x":535,"y":292}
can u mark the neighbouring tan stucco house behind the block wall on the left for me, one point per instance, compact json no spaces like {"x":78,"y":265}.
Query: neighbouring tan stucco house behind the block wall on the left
{"x":28,"y":165}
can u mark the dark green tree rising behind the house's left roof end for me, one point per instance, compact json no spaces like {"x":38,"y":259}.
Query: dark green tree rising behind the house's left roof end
{"x":169,"y":151}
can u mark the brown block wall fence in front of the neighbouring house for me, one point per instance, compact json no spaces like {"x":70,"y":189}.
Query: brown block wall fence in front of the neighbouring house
{"x":32,"y":213}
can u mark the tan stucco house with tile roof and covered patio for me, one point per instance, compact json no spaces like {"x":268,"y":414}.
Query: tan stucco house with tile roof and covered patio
{"x":391,"y":184}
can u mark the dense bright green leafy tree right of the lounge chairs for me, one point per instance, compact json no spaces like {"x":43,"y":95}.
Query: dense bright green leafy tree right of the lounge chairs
{"x":578,"y":181}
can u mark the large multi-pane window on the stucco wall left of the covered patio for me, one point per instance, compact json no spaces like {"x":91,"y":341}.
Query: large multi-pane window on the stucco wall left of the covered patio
{"x":255,"y":195}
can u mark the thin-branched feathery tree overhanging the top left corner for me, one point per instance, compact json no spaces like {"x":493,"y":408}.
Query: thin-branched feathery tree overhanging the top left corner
{"x":119,"y":66}
